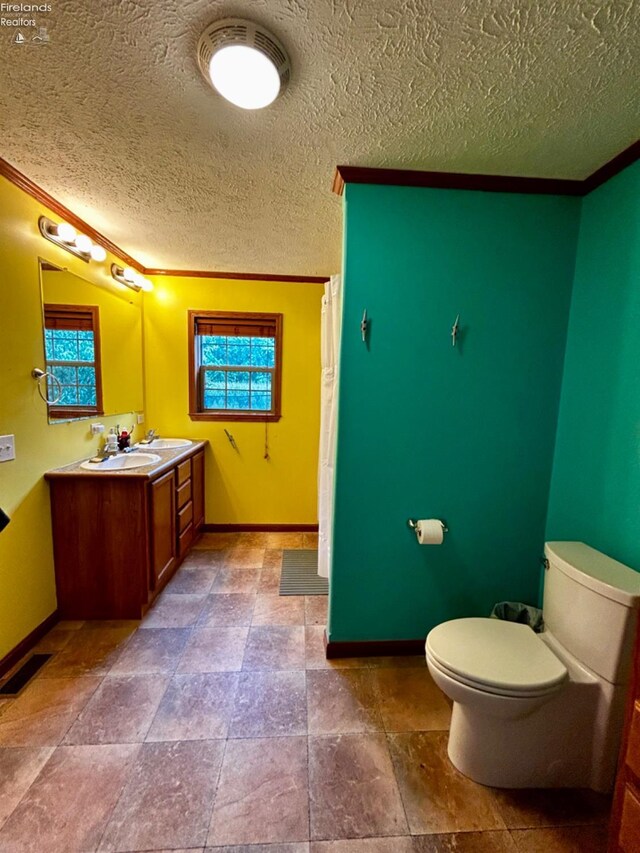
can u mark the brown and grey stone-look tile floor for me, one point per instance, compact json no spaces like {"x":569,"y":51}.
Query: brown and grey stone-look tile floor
{"x":217,"y":724}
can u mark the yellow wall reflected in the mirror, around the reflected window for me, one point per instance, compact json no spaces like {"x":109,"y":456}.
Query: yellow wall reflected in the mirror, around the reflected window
{"x":120,"y":335}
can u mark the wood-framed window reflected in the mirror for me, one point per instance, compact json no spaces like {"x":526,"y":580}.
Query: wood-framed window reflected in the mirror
{"x":72,"y":353}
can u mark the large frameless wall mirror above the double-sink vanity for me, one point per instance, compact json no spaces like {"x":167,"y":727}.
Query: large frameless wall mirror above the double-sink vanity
{"x":93,"y":347}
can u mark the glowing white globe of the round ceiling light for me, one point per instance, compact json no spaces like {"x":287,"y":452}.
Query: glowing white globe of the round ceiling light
{"x":244,"y":76}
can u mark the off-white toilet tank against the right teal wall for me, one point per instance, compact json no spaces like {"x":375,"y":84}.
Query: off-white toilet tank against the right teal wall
{"x":591,"y":607}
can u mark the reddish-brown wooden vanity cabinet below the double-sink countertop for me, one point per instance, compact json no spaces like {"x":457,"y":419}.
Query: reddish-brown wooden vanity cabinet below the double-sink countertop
{"x":118,"y":539}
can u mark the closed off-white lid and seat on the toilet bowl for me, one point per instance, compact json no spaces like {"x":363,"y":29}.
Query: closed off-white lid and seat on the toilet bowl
{"x":503,"y":655}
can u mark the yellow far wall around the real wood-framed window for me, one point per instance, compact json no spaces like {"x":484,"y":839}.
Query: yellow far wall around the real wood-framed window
{"x":242,"y":487}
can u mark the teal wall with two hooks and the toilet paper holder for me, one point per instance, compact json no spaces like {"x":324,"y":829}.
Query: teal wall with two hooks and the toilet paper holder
{"x":426,"y":430}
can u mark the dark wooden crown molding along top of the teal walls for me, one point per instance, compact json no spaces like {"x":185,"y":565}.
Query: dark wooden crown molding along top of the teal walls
{"x":488,"y":183}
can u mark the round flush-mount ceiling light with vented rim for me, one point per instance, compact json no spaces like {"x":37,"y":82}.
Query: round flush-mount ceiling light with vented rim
{"x":243,"y":62}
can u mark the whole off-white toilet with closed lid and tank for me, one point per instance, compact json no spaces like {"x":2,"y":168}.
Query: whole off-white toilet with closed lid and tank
{"x":543,"y":710}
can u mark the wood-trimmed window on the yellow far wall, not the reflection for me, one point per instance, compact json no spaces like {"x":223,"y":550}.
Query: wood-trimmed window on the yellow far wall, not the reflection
{"x":235,"y":366}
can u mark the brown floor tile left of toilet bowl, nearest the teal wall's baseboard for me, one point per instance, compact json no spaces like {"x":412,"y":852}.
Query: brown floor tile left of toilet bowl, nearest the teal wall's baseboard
{"x":410,"y":700}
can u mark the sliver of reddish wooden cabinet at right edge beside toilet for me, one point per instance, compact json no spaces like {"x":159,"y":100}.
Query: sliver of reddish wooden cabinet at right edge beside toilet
{"x":624,"y":834}
